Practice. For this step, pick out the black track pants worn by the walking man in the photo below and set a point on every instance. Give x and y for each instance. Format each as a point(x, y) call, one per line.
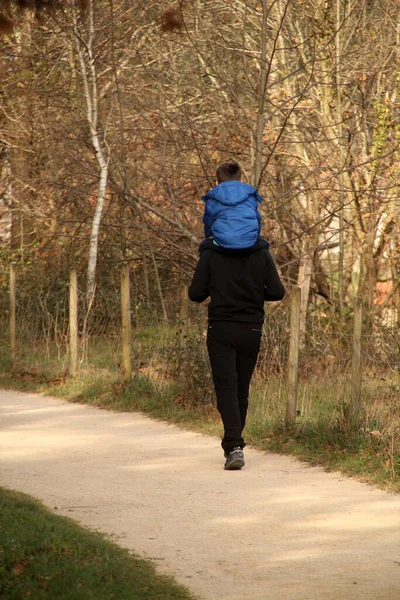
point(233, 349)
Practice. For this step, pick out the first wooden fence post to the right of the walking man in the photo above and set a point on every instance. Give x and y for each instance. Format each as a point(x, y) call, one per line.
point(293, 359)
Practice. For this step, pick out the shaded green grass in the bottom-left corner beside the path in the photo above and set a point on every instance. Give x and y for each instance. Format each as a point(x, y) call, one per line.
point(45, 556)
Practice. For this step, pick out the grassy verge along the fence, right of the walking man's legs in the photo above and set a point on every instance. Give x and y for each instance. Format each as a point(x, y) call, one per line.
point(321, 437)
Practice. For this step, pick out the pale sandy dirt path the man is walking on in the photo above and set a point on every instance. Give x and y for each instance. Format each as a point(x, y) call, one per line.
point(277, 530)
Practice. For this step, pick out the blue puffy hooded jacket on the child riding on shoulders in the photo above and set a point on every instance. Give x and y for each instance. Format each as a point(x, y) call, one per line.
point(231, 214)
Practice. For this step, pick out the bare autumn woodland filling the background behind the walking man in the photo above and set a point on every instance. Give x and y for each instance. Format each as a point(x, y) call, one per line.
point(114, 116)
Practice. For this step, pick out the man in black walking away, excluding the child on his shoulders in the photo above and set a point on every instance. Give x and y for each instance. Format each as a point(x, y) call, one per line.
point(238, 282)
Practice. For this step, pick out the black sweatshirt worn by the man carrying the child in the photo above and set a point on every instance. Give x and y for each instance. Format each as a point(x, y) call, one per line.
point(238, 282)
